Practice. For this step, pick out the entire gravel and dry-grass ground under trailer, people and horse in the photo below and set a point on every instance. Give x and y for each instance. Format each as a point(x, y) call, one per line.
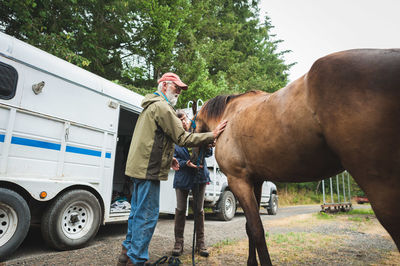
point(297, 240)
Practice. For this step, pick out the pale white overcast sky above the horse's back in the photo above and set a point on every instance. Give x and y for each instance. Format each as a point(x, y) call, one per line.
point(314, 28)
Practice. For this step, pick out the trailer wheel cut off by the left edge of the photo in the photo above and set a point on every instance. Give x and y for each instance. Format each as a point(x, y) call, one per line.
point(15, 219)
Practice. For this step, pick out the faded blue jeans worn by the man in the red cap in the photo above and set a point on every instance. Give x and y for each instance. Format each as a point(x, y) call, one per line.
point(142, 219)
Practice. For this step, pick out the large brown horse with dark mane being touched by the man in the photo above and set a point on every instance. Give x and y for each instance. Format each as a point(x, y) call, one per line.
point(343, 114)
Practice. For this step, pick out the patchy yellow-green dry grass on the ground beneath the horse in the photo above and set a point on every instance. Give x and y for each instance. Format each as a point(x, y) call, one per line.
point(301, 246)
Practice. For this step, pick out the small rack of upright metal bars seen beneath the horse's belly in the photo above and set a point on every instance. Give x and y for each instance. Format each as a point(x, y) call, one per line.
point(342, 201)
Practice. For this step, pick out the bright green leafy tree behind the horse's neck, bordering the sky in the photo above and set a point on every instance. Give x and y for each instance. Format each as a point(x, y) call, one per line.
point(237, 51)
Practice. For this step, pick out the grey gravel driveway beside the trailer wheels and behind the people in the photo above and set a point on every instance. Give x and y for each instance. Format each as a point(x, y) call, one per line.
point(105, 248)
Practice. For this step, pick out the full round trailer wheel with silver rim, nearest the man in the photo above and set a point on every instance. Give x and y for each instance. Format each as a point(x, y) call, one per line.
point(72, 220)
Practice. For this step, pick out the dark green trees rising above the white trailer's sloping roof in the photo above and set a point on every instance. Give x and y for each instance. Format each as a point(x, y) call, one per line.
point(91, 34)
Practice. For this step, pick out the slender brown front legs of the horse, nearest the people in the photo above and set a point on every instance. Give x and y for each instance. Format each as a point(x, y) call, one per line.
point(243, 190)
